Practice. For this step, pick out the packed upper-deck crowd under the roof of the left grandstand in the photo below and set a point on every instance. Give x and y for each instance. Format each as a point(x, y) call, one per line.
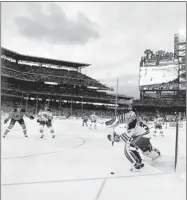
point(44, 74)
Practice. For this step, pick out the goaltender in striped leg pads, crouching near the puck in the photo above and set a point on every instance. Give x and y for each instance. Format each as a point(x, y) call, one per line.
point(136, 138)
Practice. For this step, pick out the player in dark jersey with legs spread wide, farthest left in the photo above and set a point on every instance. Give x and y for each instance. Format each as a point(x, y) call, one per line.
point(17, 116)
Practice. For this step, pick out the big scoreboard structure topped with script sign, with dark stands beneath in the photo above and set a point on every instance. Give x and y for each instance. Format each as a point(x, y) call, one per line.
point(162, 81)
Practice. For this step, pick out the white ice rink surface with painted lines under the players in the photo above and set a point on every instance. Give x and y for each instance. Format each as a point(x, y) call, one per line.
point(77, 164)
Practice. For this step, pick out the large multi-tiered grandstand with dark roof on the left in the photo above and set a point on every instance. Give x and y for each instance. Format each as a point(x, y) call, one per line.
point(33, 81)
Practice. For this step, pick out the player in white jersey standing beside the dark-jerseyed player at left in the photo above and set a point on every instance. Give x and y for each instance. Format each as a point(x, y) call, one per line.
point(45, 117)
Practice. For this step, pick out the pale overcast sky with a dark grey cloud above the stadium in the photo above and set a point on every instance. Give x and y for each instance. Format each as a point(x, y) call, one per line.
point(111, 36)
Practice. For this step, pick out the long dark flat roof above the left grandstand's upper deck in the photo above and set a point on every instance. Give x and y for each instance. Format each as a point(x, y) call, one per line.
point(27, 58)
